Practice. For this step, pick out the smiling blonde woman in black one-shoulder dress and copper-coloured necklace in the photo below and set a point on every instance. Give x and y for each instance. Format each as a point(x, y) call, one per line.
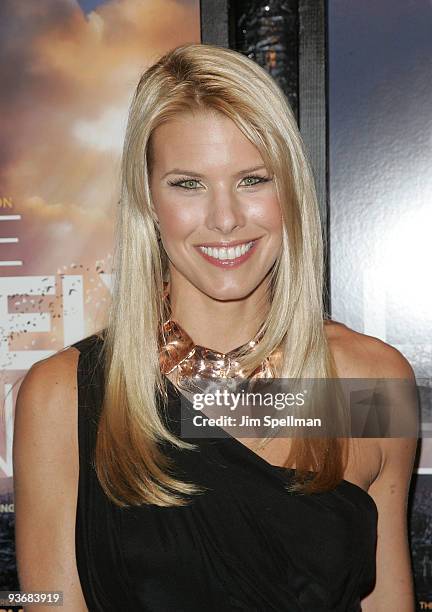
point(219, 270)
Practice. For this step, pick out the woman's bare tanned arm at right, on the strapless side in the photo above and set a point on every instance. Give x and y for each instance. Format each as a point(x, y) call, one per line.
point(394, 582)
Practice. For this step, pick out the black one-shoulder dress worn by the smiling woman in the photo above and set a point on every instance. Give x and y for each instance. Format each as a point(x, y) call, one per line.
point(246, 544)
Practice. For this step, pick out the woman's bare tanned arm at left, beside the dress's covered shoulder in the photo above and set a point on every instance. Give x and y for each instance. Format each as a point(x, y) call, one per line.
point(46, 469)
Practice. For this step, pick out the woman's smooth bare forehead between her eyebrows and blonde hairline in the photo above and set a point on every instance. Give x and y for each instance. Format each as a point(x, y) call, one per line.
point(204, 138)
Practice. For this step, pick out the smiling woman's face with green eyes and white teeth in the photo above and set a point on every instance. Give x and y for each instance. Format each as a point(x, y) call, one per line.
point(218, 212)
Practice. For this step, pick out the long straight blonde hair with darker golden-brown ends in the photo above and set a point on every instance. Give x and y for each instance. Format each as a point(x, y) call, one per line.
point(131, 467)
